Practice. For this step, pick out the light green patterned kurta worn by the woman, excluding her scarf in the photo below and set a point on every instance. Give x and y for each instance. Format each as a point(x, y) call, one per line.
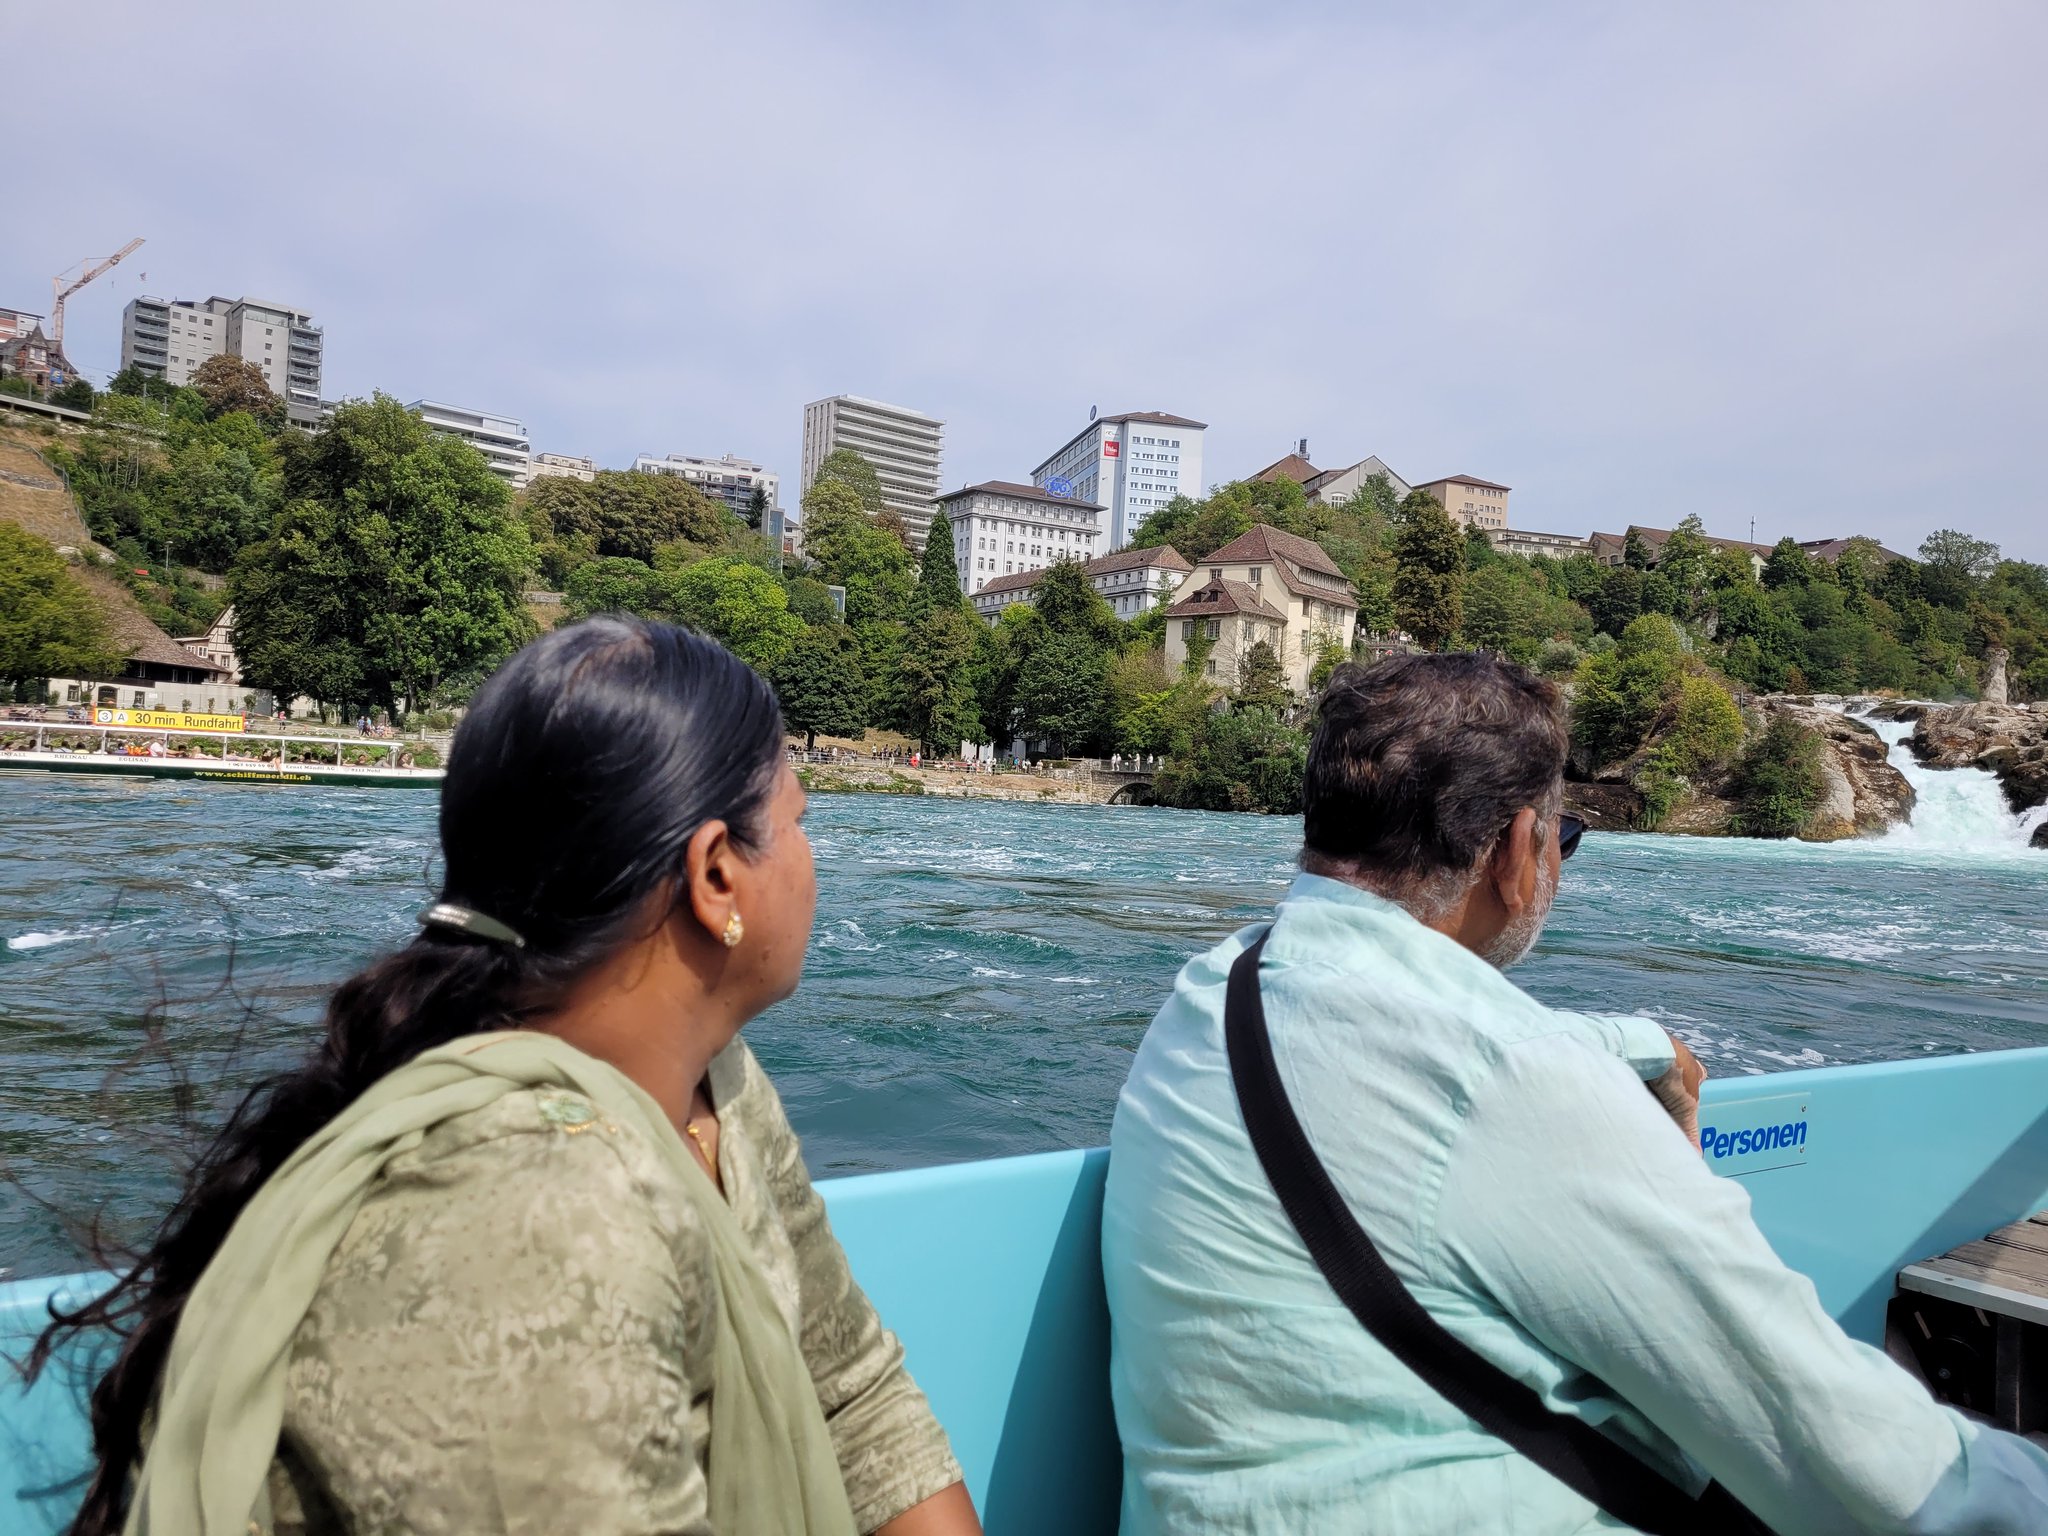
point(515, 1336)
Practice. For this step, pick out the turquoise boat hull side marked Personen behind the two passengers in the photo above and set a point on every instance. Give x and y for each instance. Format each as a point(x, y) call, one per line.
point(992, 1277)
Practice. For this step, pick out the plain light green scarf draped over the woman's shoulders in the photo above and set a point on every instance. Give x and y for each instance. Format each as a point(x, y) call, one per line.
point(222, 1402)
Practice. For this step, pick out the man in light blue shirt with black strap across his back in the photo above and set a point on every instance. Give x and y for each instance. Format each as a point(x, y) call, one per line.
point(1517, 1181)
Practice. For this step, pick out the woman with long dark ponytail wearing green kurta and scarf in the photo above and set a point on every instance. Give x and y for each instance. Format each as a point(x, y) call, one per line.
point(527, 1244)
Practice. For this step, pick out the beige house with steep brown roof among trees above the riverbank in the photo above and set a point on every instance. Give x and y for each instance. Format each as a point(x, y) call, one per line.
point(1263, 587)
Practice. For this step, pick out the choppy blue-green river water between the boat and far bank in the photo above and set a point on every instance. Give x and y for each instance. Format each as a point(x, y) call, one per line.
point(980, 974)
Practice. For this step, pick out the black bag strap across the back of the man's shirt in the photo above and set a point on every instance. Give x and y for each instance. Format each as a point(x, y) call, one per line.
point(1570, 1449)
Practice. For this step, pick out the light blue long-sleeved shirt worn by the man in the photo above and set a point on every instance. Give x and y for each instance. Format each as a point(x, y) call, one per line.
point(1514, 1172)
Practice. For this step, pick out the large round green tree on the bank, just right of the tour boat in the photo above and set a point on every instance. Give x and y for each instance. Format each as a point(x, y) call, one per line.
point(394, 568)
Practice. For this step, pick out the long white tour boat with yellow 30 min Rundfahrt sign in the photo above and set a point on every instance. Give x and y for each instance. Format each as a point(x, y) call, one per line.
point(212, 757)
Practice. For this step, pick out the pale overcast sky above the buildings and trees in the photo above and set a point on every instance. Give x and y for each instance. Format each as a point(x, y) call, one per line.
point(1756, 261)
